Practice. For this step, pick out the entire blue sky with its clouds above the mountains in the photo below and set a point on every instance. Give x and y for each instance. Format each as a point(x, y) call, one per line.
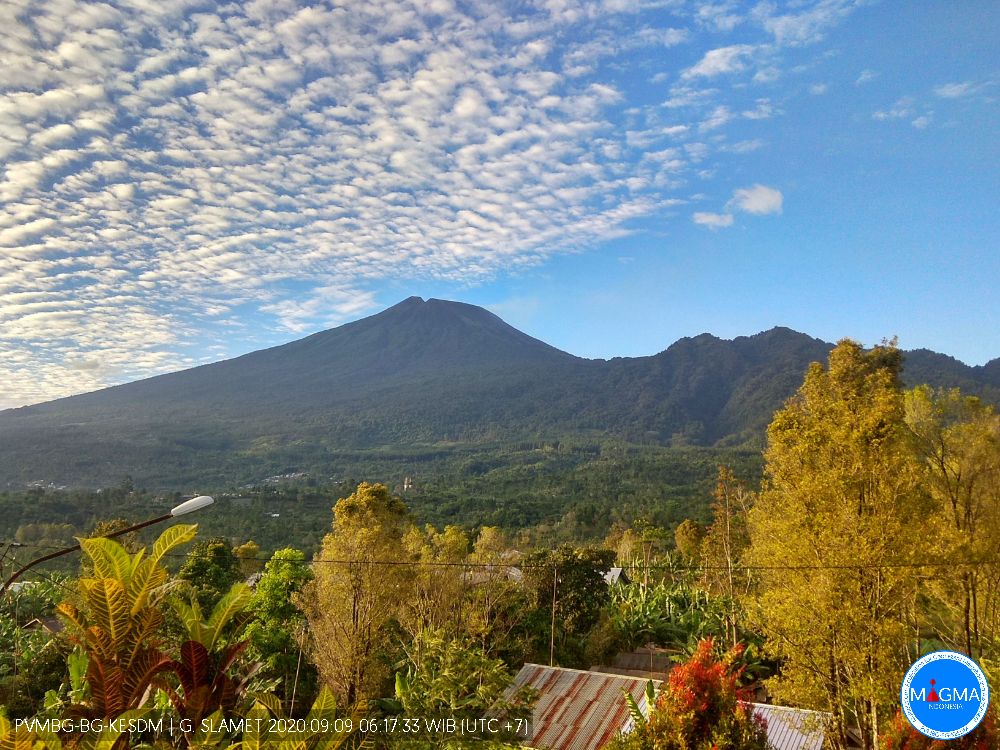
point(184, 181)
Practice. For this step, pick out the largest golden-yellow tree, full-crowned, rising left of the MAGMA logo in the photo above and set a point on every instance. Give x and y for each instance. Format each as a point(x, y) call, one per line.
point(834, 531)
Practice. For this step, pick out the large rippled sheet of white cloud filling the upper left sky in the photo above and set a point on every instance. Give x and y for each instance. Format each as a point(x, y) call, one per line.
point(169, 166)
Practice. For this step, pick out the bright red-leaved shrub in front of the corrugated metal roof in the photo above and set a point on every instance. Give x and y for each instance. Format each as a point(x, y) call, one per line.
point(701, 708)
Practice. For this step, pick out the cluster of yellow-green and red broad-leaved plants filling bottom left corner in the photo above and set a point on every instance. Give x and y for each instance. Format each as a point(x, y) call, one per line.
point(138, 680)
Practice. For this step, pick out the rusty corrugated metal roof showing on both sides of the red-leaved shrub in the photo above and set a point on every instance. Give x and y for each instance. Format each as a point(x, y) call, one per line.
point(578, 710)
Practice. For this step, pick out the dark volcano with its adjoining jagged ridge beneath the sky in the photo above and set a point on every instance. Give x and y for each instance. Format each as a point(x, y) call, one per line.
point(421, 372)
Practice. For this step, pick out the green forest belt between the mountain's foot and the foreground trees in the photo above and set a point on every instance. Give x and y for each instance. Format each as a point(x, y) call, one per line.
point(544, 493)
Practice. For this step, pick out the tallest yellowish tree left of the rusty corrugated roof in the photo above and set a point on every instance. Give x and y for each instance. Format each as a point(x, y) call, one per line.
point(356, 591)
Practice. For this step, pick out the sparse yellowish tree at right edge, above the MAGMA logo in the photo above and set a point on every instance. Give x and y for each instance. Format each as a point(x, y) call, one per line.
point(957, 441)
